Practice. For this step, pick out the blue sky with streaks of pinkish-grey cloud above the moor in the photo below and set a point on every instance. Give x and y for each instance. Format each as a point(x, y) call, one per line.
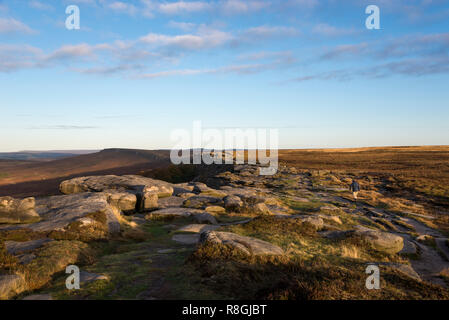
point(136, 71)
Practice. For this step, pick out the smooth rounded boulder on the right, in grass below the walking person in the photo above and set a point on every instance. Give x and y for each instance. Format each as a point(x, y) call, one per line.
point(380, 240)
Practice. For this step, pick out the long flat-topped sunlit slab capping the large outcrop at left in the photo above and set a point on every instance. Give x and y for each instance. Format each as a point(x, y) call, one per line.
point(131, 183)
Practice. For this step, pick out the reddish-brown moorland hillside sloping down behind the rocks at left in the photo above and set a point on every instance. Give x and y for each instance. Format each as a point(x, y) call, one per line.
point(20, 177)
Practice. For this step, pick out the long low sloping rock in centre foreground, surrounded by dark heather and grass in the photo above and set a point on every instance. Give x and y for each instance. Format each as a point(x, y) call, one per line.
point(247, 245)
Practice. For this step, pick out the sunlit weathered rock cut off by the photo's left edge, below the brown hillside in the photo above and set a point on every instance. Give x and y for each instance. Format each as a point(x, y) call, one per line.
point(17, 210)
